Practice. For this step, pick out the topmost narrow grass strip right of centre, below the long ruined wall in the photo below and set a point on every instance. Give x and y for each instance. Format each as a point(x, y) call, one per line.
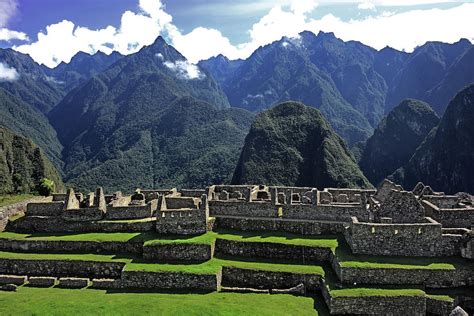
point(281, 238)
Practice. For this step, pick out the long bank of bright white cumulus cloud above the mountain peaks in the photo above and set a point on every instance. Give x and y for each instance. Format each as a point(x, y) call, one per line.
point(404, 30)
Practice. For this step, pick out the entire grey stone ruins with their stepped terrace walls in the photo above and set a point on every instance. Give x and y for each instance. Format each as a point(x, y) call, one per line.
point(387, 222)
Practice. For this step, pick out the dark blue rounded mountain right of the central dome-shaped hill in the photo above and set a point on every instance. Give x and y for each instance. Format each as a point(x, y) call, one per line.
point(396, 139)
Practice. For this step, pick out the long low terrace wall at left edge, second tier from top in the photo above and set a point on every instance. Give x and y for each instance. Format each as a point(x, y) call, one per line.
point(61, 246)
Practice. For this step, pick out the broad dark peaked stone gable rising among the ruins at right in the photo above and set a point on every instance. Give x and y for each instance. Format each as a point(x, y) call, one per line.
point(402, 207)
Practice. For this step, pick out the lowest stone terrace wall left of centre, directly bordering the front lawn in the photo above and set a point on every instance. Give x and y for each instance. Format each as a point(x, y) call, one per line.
point(170, 281)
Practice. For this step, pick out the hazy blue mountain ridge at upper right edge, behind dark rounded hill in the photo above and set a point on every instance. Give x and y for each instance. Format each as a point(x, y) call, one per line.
point(425, 69)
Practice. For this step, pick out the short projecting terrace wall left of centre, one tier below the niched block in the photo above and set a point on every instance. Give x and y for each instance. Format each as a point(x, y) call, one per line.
point(178, 252)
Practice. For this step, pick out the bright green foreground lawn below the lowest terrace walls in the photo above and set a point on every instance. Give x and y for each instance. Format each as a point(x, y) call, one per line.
point(33, 301)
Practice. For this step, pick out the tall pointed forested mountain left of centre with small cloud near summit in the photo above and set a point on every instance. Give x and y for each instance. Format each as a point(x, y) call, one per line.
point(149, 120)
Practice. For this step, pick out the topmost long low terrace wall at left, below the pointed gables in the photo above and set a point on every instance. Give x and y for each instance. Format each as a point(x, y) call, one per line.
point(58, 225)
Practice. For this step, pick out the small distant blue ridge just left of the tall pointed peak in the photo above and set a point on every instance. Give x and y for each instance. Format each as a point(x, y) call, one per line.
point(81, 68)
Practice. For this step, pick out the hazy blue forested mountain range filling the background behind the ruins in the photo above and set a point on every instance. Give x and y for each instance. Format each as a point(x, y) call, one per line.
point(152, 119)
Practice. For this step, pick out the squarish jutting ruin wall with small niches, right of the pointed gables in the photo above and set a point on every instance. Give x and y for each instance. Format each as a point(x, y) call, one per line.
point(185, 222)
